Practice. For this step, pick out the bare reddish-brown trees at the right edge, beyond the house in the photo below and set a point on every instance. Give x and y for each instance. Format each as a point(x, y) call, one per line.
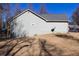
point(75, 19)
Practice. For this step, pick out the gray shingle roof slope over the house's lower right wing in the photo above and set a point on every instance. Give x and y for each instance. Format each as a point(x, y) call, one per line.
point(54, 17)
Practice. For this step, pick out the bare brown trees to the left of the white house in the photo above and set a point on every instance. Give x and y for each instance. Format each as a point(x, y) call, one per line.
point(5, 14)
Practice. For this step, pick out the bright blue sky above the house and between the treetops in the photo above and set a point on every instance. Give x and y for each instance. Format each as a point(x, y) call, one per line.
point(53, 8)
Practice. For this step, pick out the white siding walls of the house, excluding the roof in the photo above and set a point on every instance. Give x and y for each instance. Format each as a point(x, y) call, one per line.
point(29, 24)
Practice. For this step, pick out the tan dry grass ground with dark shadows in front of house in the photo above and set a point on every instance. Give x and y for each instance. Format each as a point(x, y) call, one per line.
point(49, 44)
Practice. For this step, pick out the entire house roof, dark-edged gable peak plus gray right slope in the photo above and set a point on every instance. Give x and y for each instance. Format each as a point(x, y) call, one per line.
point(45, 17)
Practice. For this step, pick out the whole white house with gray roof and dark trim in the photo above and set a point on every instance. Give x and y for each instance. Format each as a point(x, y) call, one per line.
point(28, 23)
